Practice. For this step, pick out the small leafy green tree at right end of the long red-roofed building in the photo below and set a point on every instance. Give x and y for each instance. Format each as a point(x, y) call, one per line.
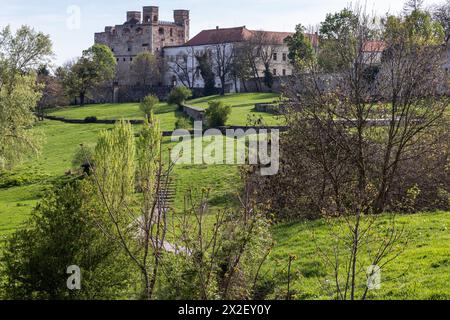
point(301, 51)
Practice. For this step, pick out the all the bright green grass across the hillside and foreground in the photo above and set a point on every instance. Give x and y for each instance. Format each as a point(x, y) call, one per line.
point(421, 272)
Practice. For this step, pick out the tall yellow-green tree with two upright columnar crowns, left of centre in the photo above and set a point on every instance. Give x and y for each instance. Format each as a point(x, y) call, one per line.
point(139, 228)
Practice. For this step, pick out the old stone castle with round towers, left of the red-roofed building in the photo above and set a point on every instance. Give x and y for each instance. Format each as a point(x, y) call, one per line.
point(143, 31)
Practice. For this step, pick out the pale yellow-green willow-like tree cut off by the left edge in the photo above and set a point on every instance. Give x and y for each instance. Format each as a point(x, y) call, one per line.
point(20, 56)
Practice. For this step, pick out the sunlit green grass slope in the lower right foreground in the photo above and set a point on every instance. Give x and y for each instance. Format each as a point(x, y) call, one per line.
point(422, 271)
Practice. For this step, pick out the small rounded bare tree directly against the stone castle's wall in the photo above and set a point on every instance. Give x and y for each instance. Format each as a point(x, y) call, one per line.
point(145, 69)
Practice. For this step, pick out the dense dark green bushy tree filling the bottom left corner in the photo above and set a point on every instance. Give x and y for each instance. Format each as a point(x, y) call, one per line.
point(62, 232)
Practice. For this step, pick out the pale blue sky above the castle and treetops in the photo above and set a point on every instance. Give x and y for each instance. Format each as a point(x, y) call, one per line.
point(72, 24)
